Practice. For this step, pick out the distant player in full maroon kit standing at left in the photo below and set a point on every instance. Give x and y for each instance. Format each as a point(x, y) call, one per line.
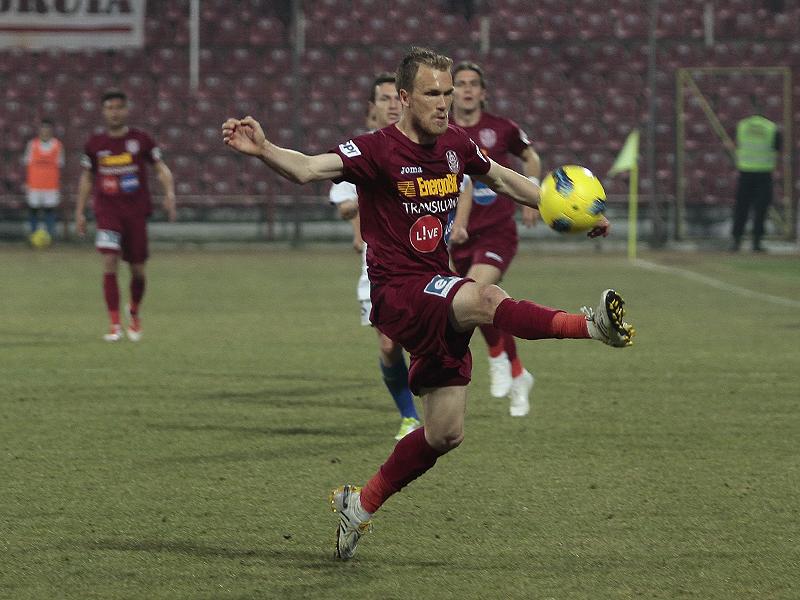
point(115, 174)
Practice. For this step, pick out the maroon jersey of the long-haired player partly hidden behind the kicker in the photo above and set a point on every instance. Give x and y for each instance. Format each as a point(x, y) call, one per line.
point(497, 138)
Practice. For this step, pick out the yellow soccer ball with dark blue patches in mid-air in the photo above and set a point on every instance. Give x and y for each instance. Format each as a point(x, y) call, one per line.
point(572, 200)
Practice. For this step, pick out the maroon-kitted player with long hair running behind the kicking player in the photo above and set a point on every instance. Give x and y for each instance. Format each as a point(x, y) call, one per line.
point(484, 239)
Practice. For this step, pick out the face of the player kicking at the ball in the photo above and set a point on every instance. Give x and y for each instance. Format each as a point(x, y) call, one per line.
point(429, 102)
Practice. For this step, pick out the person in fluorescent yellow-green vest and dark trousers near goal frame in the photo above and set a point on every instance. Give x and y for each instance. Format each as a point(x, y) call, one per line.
point(757, 145)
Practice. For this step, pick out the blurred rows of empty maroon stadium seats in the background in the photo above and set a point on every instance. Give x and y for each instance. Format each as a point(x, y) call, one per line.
point(571, 75)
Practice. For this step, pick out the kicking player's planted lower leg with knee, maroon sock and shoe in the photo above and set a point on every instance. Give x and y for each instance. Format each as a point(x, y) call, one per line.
point(413, 455)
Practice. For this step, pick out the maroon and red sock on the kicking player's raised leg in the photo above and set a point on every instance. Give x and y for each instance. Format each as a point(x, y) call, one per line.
point(530, 321)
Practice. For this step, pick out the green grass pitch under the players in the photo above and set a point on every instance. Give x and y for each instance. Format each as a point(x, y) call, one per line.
point(197, 463)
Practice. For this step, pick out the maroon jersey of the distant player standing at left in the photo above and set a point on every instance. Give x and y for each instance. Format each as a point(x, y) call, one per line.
point(118, 165)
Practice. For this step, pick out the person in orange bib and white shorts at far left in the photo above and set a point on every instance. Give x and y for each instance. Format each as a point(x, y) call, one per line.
point(44, 159)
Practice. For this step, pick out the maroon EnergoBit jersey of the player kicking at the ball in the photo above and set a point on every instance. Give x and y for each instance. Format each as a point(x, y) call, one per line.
point(407, 194)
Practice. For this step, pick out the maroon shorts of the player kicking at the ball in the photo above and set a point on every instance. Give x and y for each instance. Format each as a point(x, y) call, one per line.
point(414, 311)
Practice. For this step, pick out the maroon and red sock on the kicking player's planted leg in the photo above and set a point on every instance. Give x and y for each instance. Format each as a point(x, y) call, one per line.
point(412, 456)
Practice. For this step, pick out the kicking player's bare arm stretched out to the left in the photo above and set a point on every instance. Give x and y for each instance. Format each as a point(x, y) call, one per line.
point(247, 136)
